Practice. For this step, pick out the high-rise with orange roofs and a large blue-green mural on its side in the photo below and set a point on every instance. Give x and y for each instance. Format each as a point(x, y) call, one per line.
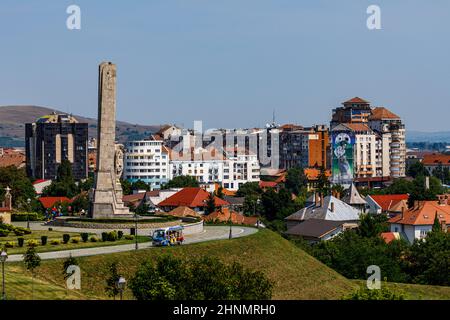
point(367, 143)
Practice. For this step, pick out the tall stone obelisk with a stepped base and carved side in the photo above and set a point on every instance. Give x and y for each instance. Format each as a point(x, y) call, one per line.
point(107, 194)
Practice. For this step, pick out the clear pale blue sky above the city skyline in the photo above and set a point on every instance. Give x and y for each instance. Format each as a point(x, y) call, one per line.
point(230, 63)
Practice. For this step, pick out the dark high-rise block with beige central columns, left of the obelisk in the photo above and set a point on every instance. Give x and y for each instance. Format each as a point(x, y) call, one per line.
point(53, 139)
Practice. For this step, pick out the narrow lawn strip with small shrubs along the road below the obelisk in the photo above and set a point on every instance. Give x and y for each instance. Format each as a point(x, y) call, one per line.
point(73, 246)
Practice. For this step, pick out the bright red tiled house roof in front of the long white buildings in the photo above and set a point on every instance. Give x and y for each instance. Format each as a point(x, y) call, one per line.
point(192, 198)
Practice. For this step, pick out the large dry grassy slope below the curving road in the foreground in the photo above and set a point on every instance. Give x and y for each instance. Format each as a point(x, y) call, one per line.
point(297, 276)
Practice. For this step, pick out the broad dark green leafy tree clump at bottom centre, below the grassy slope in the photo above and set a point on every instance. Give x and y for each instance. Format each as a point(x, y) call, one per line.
point(172, 278)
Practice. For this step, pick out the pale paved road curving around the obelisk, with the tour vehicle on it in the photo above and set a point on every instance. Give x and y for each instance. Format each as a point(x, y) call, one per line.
point(209, 233)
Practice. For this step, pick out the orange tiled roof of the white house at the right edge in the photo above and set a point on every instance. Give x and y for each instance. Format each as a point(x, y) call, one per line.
point(424, 214)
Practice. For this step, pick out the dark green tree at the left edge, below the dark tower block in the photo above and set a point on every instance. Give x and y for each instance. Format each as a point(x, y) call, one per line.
point(21, 187)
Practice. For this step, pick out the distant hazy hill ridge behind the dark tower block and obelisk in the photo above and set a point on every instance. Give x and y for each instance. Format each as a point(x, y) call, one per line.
point(13, 119)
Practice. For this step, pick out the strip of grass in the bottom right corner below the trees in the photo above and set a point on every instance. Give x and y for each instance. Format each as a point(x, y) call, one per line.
point(416, 291)
